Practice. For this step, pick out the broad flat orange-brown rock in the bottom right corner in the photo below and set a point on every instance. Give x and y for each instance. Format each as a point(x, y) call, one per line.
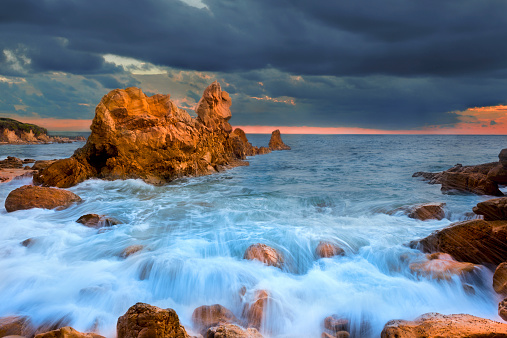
point(437, 325)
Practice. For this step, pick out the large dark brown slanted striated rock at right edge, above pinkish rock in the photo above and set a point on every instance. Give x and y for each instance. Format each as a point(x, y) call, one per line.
point(475, 241)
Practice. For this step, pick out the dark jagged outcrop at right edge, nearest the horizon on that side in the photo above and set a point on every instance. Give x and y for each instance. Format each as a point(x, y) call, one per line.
point(482, 179)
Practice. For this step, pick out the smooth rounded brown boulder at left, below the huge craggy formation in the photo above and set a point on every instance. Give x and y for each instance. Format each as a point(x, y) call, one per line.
point(29, 196)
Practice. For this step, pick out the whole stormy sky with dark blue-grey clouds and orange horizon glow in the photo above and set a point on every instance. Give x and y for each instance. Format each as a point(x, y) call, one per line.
point(347, 66)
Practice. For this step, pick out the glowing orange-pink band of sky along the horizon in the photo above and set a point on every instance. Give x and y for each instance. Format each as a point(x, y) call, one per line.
point(491, 120)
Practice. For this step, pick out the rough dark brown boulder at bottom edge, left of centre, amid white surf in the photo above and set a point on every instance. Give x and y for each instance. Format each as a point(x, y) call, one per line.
point(147, 321)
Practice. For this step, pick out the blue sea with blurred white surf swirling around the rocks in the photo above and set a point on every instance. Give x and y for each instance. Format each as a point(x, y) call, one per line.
point(337, 188)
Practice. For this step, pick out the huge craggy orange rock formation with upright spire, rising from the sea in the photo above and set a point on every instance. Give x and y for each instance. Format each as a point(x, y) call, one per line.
point(136, 136)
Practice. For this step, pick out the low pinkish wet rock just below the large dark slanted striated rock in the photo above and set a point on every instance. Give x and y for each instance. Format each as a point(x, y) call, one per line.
point(441, 266)
